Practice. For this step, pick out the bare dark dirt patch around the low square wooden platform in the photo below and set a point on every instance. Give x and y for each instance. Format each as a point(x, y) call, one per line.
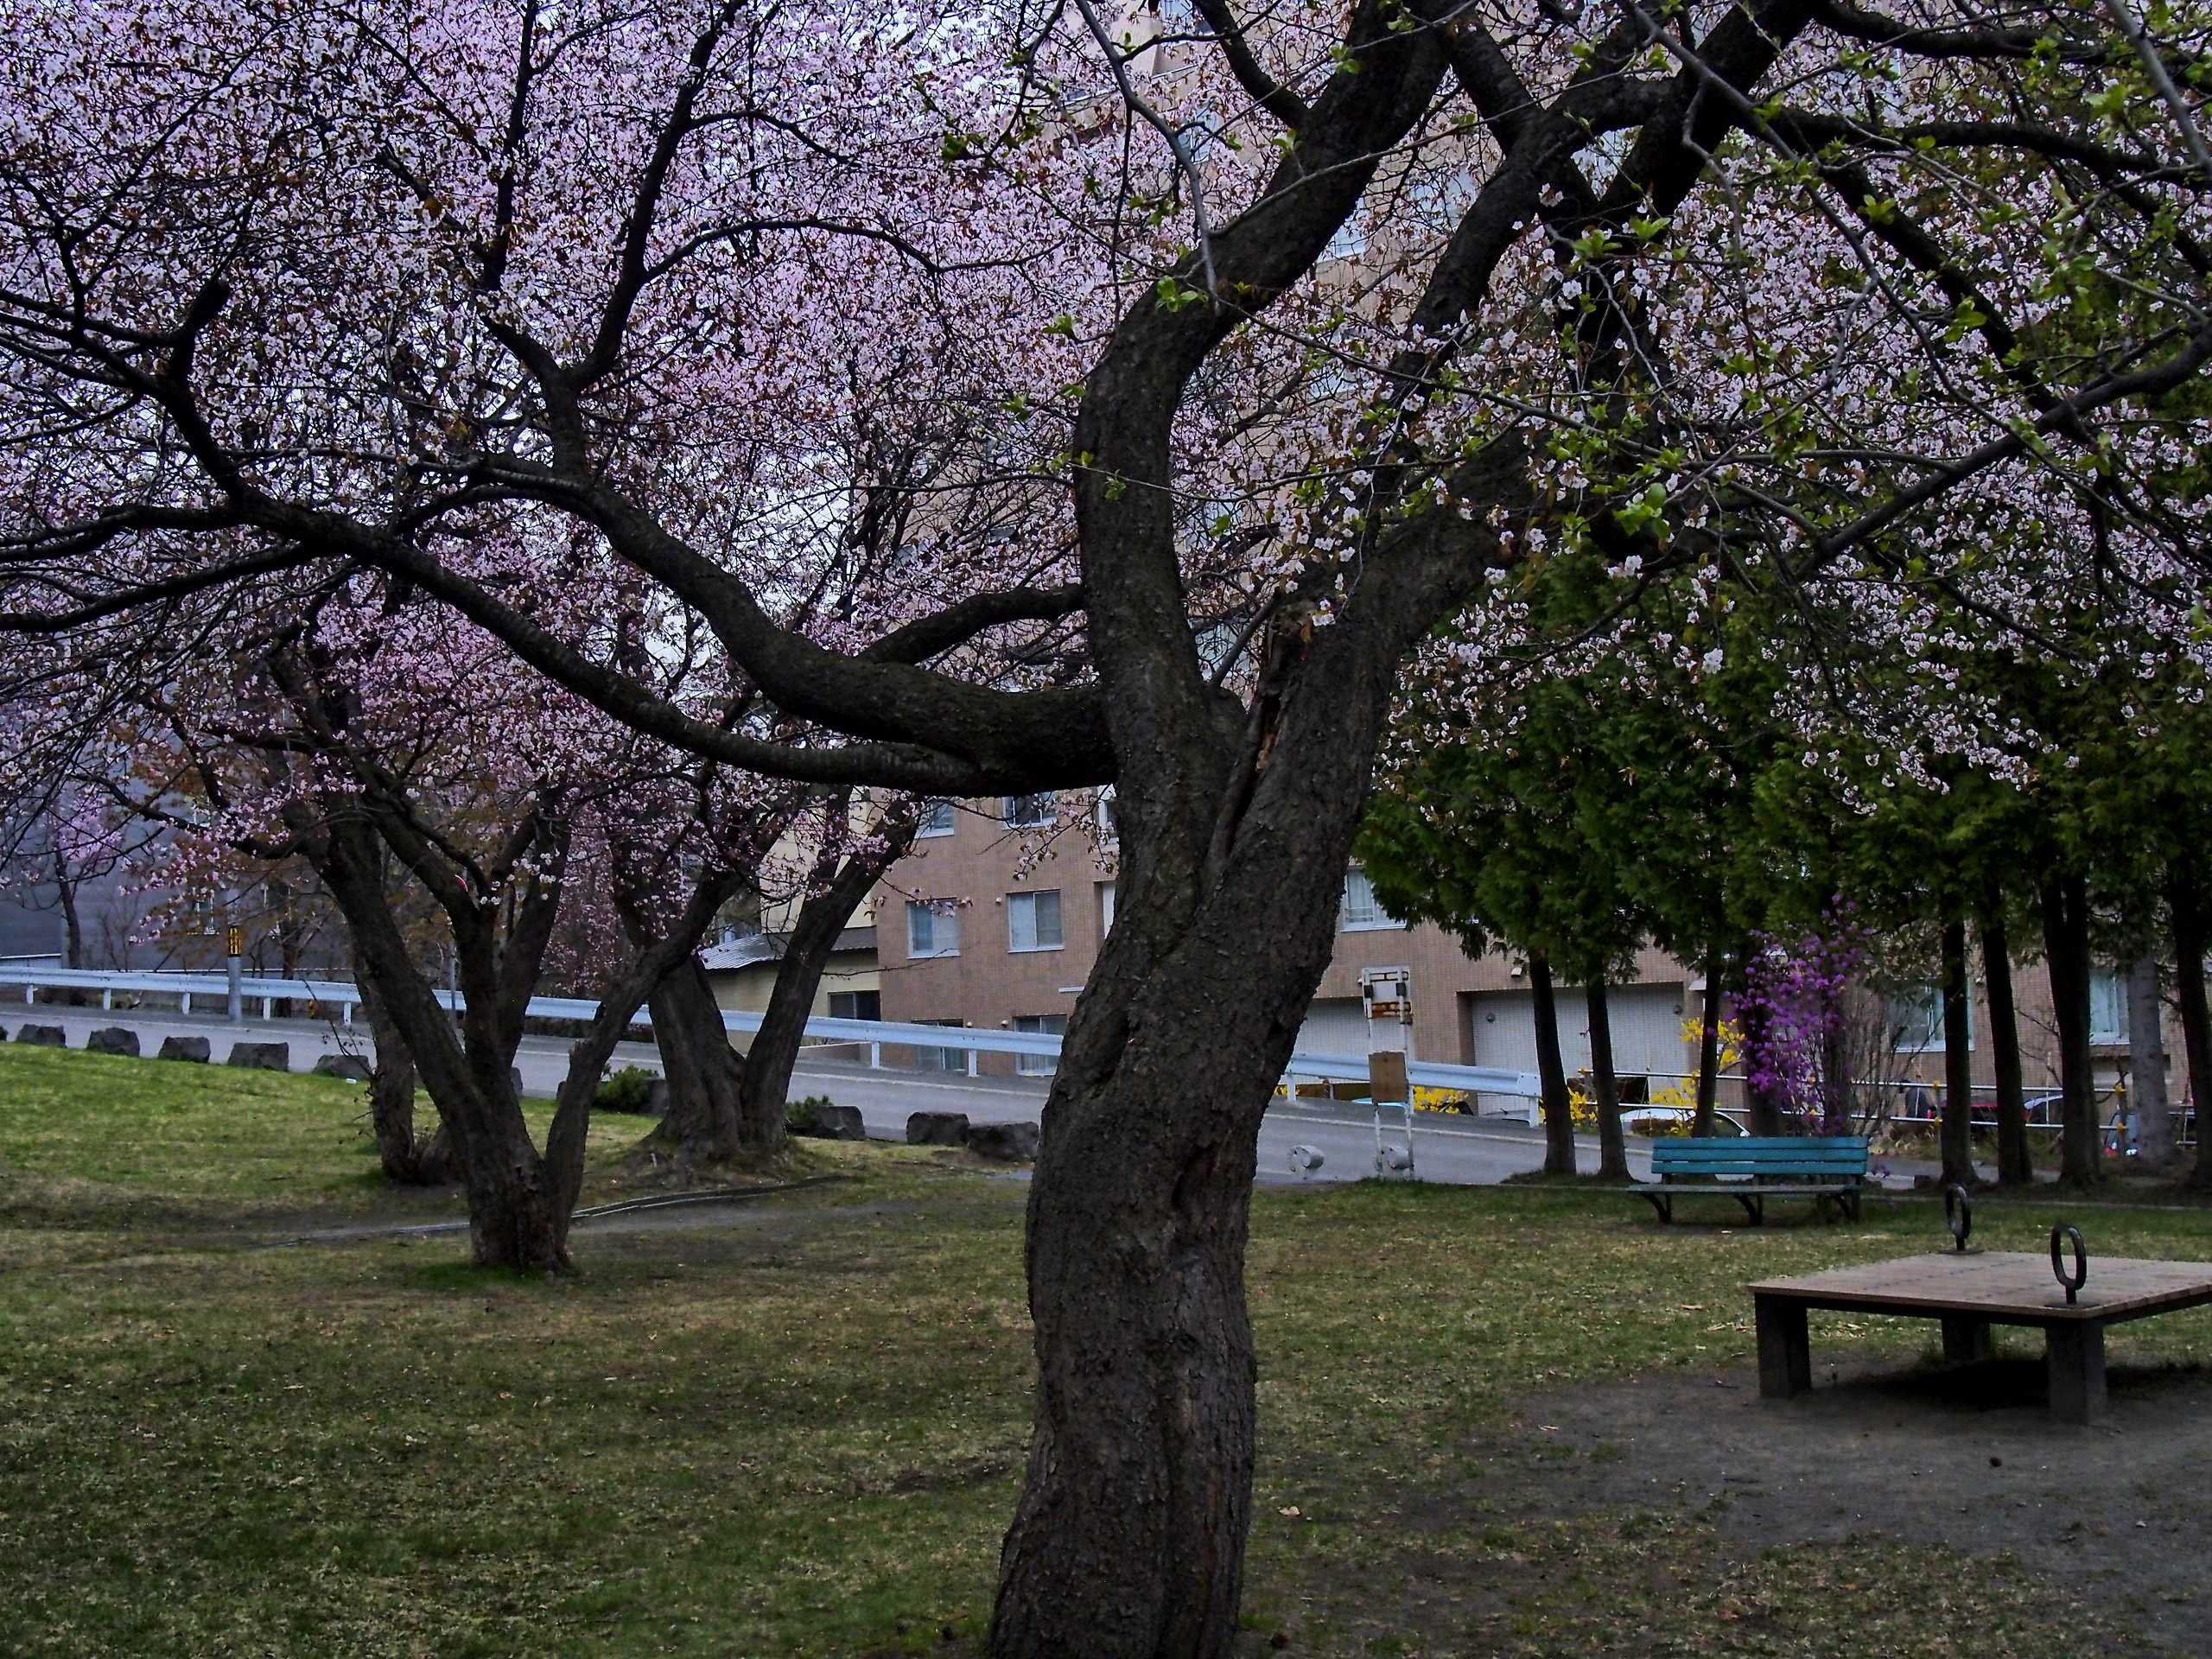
point(1959, 1459)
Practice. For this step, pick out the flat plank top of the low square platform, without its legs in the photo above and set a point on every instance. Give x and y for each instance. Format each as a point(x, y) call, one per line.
point(2001, 1286)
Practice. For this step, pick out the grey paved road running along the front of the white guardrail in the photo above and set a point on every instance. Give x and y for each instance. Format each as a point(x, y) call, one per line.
point(1448, 1149)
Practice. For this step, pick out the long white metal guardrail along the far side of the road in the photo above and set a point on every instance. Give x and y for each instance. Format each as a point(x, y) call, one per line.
point(340, 999)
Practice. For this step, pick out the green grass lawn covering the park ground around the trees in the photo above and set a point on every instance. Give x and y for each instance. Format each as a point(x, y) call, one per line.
point(800, 1432)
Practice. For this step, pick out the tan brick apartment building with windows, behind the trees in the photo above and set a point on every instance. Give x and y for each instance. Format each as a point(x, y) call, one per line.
point(999, 915)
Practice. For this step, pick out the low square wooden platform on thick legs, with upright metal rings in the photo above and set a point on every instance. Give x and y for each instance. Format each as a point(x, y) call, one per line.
point(1968, 1295)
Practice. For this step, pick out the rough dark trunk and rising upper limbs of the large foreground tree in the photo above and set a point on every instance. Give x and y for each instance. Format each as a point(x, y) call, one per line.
point(1235, 833)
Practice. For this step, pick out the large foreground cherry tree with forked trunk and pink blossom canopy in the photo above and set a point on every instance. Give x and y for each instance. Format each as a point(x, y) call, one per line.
point(1311, 324)
